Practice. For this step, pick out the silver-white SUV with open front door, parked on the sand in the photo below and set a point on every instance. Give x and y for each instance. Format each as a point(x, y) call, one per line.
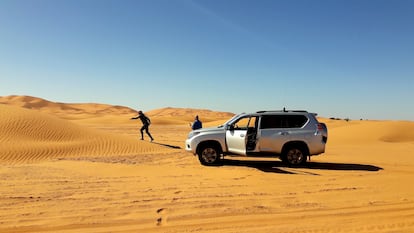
point(289, 135)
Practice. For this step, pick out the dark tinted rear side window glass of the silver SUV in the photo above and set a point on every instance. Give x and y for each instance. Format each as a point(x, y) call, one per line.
point(283, 121)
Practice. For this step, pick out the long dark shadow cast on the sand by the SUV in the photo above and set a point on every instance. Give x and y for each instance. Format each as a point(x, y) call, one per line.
point(280, 167)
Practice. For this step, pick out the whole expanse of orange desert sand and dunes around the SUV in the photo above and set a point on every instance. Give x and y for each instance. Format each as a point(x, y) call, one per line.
point(82, 168)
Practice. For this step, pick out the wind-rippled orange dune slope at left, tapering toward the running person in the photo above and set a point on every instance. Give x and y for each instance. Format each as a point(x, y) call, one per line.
point(28, 136)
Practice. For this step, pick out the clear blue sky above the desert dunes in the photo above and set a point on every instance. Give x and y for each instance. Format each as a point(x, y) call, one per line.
point(339, 58)
